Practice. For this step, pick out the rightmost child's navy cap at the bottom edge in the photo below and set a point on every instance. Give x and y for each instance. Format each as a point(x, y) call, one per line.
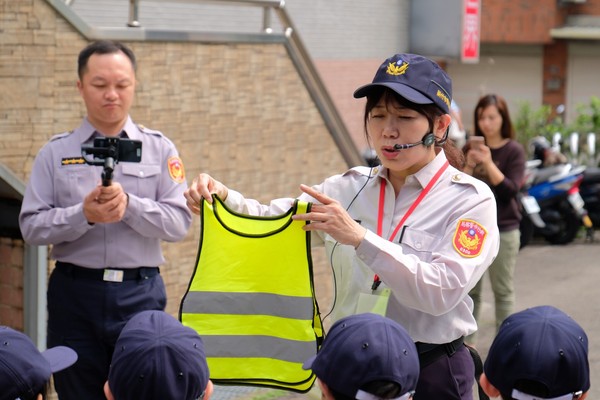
point(542, 345)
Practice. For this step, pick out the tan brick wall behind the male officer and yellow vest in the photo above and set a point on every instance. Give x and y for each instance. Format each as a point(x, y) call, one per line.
point(237, 111)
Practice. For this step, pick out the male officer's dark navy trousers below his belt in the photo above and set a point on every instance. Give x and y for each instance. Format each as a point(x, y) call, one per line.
point(87, 314)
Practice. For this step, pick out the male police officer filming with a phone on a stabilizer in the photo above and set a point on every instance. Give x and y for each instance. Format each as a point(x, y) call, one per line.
point(106, 239)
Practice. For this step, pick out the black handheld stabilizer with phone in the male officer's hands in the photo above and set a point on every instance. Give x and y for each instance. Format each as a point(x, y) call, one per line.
point(108, 151)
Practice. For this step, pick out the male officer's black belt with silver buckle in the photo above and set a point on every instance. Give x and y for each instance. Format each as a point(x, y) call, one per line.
point(106, 274)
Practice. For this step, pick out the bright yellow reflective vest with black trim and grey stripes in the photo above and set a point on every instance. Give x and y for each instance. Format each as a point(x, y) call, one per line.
point(251, 298)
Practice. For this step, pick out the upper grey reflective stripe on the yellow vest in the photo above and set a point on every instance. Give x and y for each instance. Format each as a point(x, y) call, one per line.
point(248, 304)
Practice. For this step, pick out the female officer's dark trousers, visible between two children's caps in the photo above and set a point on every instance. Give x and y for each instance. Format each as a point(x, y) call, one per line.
point(447, 378)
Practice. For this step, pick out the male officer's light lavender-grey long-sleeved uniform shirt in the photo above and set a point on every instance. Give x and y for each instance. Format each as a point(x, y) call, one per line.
point(52, 210)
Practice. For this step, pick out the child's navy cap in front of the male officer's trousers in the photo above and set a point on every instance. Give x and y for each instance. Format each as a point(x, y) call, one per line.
point(157, 358)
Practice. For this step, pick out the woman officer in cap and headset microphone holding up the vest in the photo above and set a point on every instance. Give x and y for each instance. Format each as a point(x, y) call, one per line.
point(409, 238)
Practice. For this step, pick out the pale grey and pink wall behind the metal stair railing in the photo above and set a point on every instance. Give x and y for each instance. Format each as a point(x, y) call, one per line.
point(346, 46)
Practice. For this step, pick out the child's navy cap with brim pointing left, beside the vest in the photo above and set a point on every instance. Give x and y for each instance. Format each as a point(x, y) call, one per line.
point(364, 348)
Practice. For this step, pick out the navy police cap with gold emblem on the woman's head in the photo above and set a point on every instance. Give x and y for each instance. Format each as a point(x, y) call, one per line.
point(414, 77)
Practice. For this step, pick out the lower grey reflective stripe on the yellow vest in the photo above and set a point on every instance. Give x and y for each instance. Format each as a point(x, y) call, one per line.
point(246, 346)
